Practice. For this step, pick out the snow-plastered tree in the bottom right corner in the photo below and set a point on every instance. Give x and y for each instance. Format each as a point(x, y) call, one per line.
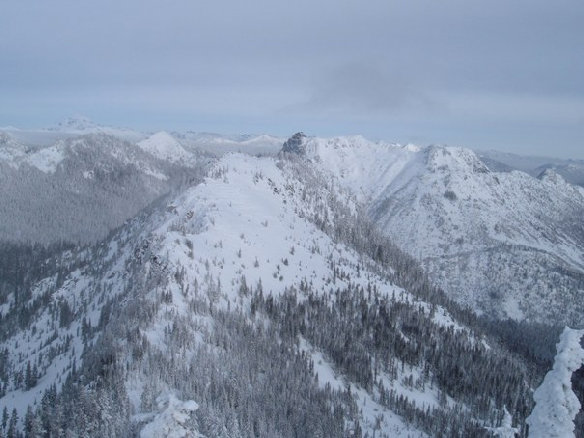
point(556, 405)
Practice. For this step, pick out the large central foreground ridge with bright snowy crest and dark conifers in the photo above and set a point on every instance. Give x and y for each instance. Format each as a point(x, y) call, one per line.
point(259, 302)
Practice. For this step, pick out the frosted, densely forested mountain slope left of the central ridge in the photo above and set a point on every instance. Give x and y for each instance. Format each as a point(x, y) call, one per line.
point(80, 188)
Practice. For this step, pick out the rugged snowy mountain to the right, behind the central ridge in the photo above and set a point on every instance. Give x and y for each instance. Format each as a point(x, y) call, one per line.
point(505, 243)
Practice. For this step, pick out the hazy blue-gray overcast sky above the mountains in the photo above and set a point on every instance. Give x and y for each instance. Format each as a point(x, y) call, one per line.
point(502, 74)
